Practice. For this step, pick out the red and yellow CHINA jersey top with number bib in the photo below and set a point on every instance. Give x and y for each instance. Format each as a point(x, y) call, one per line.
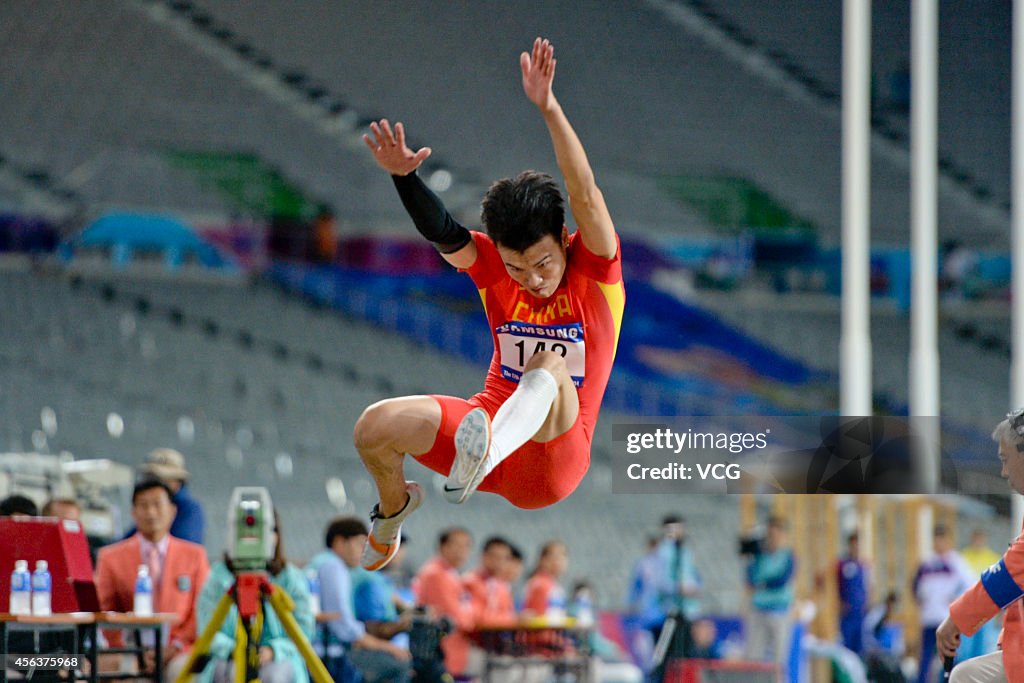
point(581, 321)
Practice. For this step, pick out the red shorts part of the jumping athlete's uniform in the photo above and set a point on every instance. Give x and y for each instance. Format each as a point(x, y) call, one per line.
point(536, 476)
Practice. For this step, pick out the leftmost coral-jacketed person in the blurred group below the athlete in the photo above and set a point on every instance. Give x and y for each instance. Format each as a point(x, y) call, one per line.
point(440, 587)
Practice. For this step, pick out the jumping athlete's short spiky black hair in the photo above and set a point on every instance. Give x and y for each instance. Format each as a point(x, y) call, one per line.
point(519, 212)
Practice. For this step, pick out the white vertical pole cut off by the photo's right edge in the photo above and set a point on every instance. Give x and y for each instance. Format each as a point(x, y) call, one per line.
point(1017, 231)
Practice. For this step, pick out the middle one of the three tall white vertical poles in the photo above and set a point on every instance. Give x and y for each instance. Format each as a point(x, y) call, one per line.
point(924, 192)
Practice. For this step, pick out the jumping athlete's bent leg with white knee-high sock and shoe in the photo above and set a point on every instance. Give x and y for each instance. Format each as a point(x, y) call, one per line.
point(544, 407)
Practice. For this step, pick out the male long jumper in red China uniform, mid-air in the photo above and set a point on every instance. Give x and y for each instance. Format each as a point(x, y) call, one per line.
point(554, 303)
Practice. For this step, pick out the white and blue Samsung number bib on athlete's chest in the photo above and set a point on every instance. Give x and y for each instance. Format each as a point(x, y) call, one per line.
point(518, 343)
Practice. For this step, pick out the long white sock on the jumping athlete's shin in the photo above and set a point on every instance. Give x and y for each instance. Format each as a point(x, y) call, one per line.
point(523, 415)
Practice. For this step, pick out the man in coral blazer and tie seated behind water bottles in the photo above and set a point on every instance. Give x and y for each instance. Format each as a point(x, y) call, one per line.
point(179, 570)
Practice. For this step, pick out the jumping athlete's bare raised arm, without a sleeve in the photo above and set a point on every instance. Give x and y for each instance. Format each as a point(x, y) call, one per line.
point(586, 200)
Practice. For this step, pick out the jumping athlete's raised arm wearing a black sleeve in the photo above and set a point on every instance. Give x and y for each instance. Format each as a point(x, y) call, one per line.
point(429, 212)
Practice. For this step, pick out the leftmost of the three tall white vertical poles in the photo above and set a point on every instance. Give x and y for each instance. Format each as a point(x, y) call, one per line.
point(856, 340)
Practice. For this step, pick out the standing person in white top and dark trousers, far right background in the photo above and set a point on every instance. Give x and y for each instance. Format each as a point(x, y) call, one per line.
point(942, 577)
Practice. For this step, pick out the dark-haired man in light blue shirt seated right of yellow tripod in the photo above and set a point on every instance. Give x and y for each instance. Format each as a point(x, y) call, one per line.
point(349, 641)
